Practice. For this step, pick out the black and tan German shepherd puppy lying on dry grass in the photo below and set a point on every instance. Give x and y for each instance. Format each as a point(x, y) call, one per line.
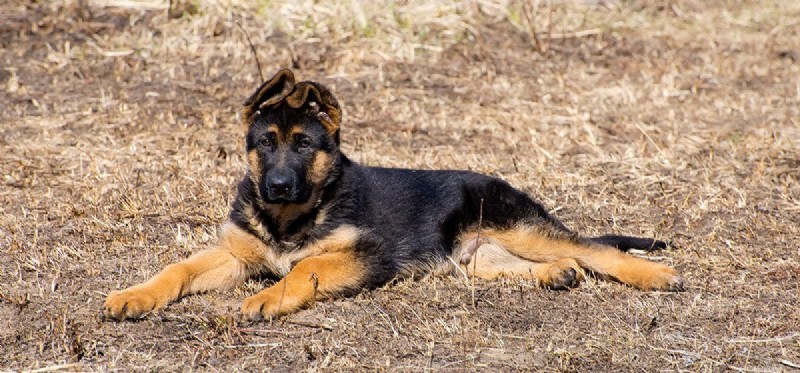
point(330, 227)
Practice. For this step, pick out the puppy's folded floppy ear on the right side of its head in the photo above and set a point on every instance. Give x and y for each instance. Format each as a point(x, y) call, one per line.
point(321, 103)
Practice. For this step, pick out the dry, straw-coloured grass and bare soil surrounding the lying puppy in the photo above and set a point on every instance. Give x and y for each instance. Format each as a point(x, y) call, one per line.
point(120, 148)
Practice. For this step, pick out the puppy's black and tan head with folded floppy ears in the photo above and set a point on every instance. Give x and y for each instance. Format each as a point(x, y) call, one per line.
point(292, 138)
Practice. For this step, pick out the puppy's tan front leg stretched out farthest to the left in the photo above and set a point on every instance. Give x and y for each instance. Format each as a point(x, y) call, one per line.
point(226, 266)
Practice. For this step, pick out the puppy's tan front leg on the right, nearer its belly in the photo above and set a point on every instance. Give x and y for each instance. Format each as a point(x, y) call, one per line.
point(312, 278)
